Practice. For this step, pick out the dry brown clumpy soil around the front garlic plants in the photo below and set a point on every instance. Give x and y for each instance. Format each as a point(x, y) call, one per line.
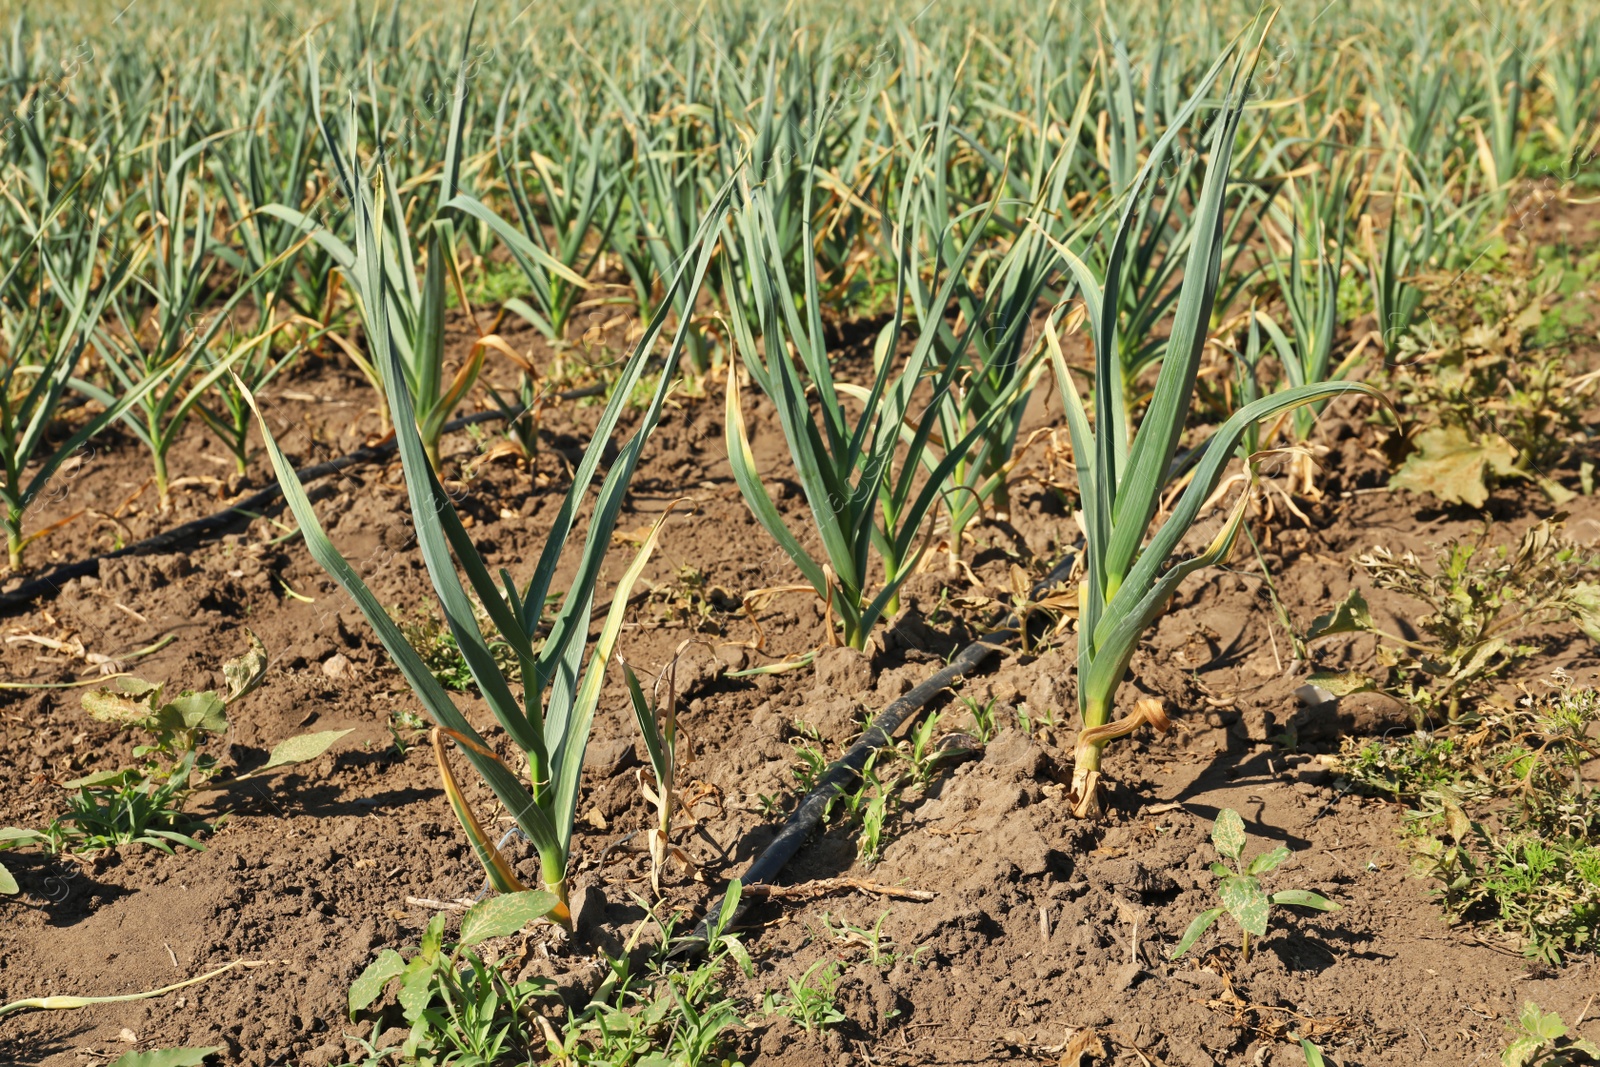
point(1039, 924)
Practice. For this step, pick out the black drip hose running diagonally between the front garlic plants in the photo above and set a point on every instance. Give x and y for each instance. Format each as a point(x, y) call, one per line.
point(809, 817)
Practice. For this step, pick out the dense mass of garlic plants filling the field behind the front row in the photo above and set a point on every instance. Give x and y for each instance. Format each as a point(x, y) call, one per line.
point(210, 156)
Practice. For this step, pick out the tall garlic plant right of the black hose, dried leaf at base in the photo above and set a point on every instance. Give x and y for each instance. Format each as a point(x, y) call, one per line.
point(1124, 470)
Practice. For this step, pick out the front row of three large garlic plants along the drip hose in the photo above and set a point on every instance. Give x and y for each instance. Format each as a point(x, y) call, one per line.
point(862, 482)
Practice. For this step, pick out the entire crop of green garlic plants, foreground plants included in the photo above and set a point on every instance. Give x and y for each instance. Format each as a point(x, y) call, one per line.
point(983, 175)
